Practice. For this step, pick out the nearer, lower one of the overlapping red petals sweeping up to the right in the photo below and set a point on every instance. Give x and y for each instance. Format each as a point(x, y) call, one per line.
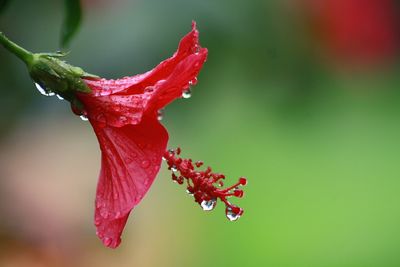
point(121, 109)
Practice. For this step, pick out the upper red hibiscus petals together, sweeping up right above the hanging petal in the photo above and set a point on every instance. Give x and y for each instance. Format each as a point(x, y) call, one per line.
point(124, 101)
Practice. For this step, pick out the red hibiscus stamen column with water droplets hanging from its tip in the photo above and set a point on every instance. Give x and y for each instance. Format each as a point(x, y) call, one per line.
point(205, 186)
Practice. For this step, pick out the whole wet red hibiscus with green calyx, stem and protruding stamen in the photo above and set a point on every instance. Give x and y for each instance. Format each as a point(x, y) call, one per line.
point(124, 114)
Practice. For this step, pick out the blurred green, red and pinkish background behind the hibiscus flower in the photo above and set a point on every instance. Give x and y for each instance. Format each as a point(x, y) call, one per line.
point(300, 96)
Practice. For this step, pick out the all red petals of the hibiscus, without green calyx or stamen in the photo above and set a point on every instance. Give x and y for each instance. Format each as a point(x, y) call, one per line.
point(124, 114)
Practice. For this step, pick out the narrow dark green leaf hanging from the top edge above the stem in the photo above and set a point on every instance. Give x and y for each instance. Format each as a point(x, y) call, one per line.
point(72, 21)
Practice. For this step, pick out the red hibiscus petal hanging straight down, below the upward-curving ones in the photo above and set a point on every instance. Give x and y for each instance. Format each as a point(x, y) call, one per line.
point(131, 158)
